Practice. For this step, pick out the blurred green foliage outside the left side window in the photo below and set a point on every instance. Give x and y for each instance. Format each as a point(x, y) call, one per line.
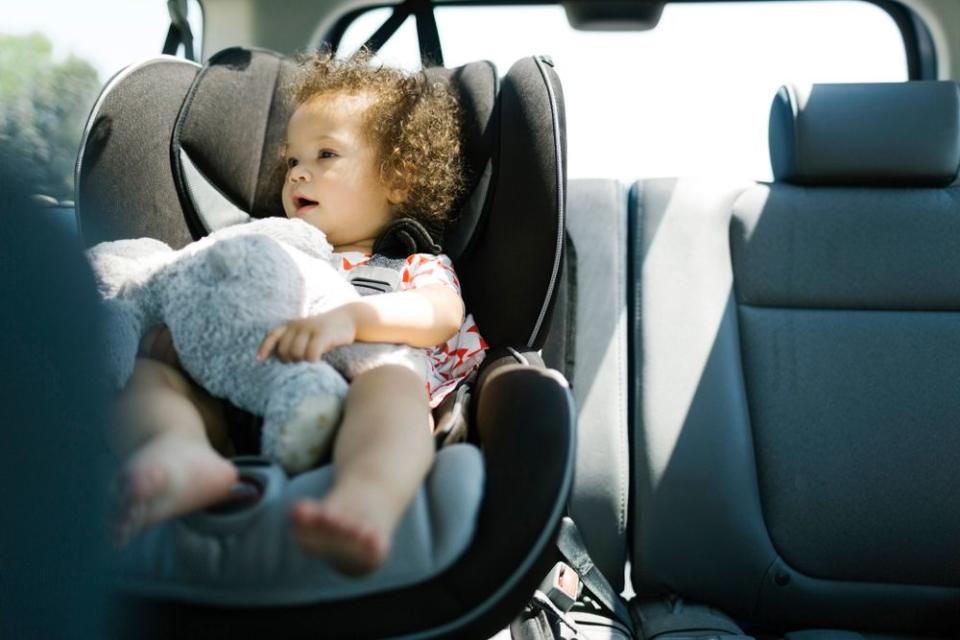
point(43, 107)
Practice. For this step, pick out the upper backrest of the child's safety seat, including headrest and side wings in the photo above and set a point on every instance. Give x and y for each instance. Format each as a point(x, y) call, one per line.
point(221, 164)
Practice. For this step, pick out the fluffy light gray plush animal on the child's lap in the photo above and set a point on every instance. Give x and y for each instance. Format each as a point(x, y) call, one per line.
point(219, 296)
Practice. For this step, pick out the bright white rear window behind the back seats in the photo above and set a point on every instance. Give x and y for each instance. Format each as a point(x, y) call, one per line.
point(690, 97)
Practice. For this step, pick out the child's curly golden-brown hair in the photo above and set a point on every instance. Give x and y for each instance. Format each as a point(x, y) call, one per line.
point(414, 123)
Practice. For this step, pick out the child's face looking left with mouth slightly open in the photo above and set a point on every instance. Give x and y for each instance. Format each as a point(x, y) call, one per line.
point(333, 177)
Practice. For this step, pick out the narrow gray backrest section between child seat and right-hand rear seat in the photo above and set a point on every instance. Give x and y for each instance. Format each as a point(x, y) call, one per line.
point(588, 343)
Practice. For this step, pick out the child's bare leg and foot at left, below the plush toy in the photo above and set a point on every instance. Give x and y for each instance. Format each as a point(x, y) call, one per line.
point(162, 423)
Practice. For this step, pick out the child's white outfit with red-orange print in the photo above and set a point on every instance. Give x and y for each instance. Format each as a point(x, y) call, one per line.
point(459, 356)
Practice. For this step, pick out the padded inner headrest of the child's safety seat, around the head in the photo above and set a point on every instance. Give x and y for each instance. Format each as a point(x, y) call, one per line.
point(231, 128)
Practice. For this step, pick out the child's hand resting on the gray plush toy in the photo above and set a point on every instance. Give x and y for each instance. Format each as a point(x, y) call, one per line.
point(310, 338)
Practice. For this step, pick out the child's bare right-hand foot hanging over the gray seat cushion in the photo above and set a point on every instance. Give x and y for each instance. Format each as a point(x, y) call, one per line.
point(353, 533)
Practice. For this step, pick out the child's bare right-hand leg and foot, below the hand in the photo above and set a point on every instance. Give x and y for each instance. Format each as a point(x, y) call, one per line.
point(381, 456)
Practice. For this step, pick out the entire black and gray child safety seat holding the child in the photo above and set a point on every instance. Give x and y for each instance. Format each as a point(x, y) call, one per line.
point(205, 141)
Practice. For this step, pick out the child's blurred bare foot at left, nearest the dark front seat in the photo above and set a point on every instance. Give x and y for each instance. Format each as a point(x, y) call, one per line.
point(169, 477)
